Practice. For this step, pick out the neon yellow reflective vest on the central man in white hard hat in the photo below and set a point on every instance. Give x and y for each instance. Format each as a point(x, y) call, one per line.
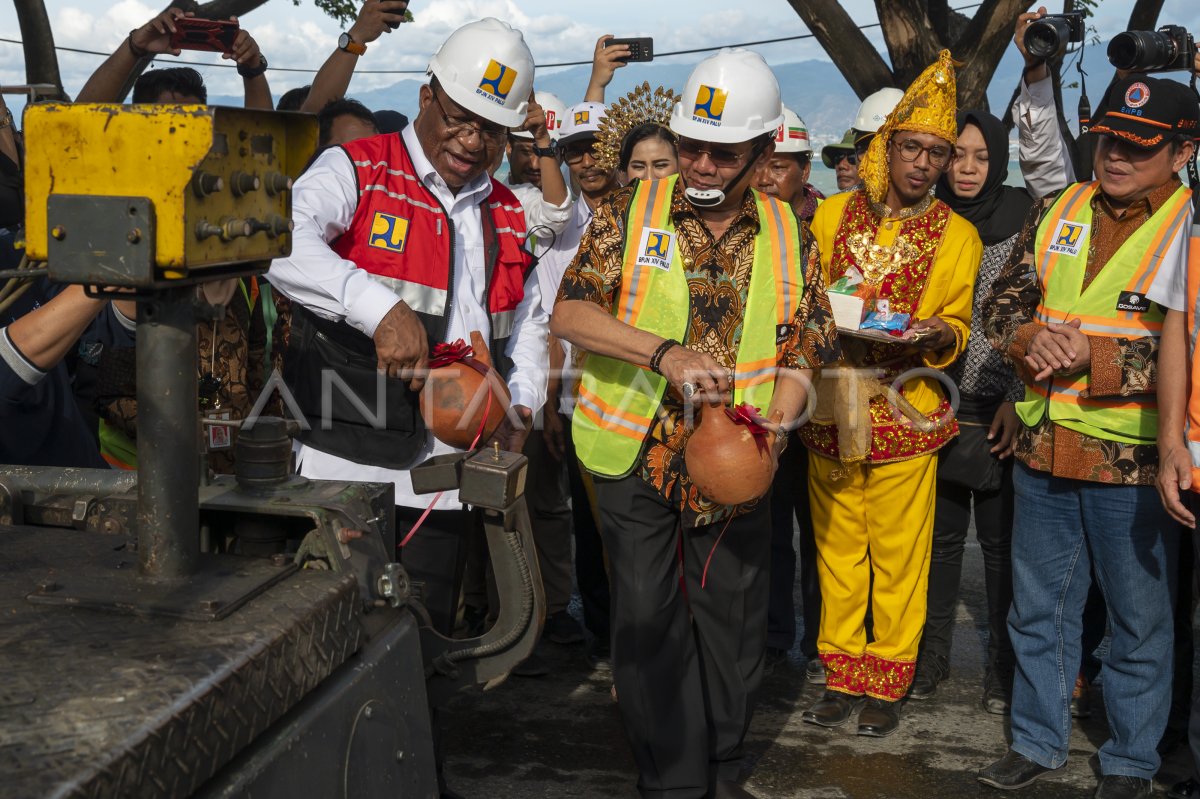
point(619, 401)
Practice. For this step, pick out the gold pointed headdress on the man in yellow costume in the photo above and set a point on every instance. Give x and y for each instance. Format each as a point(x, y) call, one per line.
point(929, 106)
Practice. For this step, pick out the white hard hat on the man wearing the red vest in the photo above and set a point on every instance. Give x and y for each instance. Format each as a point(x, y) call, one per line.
point(487, 68)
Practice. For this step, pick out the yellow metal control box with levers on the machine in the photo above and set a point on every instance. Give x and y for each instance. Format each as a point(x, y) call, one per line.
point(219, 178)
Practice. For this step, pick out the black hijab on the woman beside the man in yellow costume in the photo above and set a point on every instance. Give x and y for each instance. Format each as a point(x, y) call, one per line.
point(998, 212)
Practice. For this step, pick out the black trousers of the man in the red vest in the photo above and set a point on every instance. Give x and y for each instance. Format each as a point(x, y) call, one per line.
point(436, 557)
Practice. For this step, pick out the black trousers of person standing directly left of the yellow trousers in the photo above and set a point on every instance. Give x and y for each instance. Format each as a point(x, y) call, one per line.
point(789, 502)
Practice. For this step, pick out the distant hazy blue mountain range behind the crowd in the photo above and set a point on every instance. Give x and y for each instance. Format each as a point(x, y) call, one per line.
point(814, 89)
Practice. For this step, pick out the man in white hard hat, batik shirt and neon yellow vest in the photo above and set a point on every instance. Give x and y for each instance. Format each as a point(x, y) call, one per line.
point(680, 284)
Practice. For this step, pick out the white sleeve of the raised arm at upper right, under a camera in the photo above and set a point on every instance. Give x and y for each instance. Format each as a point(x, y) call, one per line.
point(1045, 155)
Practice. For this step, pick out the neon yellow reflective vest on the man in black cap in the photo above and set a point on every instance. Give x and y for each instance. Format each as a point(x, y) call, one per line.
point(1064, 241)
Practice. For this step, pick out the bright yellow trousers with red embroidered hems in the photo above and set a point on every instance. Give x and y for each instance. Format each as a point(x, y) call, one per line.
point(877, 521)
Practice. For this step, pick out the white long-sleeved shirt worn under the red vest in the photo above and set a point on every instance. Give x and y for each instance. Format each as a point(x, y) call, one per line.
point(325, 202)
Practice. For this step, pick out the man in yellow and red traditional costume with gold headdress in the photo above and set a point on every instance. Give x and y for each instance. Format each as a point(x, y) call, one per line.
point(902, 267)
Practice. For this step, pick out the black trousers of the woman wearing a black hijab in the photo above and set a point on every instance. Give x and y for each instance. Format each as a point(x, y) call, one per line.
point(994, 531)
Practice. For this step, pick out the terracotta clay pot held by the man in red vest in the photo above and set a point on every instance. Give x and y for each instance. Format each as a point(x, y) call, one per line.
point(455, 398)
